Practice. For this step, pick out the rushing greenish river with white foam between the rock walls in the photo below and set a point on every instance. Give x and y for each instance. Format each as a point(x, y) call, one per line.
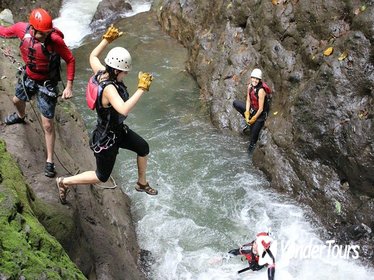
point(211, 199)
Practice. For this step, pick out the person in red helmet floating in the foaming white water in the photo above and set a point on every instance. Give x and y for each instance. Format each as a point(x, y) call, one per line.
point(258, 254)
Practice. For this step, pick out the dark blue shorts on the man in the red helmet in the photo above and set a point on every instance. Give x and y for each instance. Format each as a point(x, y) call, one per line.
point(46, 95)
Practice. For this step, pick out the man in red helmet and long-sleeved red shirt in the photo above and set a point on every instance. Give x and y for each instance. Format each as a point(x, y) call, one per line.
point(42, 46)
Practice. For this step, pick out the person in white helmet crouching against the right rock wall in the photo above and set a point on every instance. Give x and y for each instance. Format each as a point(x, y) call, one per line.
point(256, 107)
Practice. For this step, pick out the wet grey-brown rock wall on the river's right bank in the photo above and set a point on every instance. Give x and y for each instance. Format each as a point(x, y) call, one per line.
point(317, 144)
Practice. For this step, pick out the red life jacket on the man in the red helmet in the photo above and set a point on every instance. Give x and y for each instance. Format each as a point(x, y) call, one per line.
point(40, 57)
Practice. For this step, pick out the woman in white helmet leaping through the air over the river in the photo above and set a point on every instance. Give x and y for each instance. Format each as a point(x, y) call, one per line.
point(112, 105)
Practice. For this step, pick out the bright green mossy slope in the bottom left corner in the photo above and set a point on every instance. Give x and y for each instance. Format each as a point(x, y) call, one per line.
point(26, 248)
